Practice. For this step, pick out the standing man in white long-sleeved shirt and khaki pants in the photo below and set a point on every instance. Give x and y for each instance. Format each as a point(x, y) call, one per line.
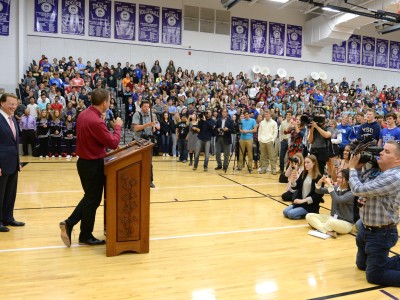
point(267, 133)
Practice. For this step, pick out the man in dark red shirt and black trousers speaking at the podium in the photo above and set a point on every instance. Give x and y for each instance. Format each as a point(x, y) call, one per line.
point(92, 138)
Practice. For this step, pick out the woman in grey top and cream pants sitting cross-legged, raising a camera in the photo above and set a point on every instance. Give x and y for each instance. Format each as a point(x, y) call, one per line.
point(342, 216)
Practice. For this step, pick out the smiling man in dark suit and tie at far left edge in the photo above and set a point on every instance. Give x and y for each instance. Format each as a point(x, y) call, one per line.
point(9, 161)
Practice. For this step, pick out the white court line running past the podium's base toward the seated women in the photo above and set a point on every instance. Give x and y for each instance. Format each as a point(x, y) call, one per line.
point(165, 238)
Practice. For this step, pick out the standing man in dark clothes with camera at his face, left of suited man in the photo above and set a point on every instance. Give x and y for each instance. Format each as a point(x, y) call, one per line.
point(206, 126)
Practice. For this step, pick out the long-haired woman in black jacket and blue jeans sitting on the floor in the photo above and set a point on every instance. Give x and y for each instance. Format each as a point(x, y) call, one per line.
point(306, 200)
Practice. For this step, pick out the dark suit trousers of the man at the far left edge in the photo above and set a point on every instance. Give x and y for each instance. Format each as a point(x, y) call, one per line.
point(8, 193)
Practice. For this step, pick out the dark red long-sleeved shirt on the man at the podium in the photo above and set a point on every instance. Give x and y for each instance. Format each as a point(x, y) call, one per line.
point(93, 136)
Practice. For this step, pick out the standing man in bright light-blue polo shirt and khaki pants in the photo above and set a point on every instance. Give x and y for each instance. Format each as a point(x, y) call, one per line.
point(247, 129)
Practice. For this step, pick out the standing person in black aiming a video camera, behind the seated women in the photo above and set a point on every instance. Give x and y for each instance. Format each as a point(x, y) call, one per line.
point(319, 137)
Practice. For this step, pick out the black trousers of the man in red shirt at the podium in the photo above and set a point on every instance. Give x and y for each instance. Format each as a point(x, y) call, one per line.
point(91, 173)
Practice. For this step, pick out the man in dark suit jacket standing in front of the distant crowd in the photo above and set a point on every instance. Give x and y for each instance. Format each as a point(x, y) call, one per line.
point(224, 129)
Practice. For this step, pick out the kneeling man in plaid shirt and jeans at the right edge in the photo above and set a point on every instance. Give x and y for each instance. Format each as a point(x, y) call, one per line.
point(379, 217)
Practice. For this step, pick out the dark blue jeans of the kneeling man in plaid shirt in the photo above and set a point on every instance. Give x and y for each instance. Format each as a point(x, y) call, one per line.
point(373, 255)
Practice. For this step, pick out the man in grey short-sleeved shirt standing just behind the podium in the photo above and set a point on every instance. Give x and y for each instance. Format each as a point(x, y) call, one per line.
point(145, 124)
